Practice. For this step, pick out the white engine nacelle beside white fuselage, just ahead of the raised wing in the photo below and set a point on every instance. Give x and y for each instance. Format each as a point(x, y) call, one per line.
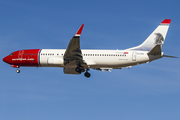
point(55, 61)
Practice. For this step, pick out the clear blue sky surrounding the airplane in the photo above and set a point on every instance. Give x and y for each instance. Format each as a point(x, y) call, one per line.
point(148, 91)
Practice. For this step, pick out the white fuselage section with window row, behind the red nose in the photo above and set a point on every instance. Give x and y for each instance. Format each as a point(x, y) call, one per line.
point(115, 59)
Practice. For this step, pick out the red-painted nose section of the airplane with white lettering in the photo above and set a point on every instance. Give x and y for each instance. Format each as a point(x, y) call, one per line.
point(24, 58)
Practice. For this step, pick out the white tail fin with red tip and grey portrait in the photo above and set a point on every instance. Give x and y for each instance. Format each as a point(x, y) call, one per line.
point(157, 37)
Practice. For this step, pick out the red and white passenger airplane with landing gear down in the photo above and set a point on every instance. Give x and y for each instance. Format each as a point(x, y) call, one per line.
point(75, 60)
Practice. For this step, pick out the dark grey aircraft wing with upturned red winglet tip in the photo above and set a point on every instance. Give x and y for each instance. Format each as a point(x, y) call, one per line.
point(73, 54)
